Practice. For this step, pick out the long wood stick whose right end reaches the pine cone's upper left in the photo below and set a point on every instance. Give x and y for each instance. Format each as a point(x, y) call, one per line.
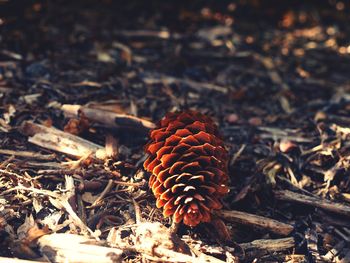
point(108, 118)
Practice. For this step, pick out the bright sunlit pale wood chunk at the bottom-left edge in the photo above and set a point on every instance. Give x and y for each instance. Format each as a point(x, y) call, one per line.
point(74, 248)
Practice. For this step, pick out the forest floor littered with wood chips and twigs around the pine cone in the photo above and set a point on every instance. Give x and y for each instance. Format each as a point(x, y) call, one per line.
point(275, 77)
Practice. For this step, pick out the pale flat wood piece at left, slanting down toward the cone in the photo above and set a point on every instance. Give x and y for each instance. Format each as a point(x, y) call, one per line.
point(57, 140)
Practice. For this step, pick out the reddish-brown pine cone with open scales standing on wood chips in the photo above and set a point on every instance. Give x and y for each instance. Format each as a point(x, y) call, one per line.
point(188, 163)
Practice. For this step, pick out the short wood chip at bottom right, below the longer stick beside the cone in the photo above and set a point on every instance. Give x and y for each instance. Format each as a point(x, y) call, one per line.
point(261, 247)
